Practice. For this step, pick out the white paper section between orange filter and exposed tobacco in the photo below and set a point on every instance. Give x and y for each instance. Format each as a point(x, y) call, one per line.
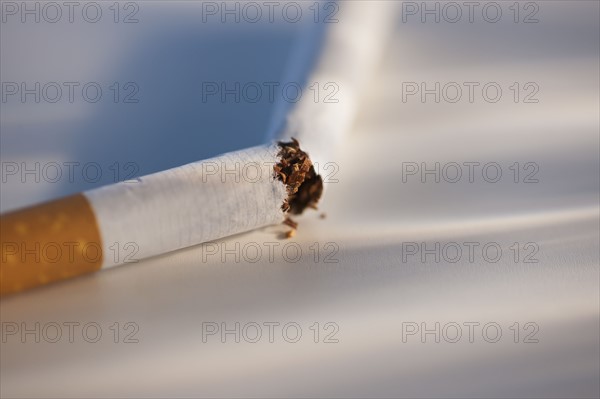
point(191, 204)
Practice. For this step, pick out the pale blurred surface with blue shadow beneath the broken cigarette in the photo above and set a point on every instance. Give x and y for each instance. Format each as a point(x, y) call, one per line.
point(371, 291)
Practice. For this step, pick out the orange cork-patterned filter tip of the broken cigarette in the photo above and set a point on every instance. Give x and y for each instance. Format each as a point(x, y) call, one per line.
point(49, 242)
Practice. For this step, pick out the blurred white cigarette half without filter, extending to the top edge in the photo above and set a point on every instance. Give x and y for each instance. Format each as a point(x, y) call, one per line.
point(352, 49)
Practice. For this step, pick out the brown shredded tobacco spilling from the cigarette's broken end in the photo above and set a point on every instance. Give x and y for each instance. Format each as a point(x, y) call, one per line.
point(297, 172)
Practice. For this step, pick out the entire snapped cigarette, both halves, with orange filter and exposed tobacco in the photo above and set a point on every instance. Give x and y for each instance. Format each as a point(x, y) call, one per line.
point(202, 201)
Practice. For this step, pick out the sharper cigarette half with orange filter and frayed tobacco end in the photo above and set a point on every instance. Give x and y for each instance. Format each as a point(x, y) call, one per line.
point(159, 213)
